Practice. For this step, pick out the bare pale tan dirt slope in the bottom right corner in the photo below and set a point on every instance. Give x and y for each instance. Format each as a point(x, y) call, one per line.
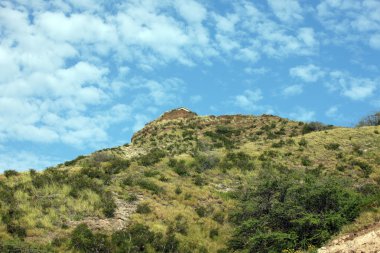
point(364, 241)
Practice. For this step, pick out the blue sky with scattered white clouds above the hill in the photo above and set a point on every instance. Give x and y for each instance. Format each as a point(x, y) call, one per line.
point(82, 75)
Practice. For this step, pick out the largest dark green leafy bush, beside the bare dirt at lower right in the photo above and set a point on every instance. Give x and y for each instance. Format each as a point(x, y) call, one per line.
point(292, 211)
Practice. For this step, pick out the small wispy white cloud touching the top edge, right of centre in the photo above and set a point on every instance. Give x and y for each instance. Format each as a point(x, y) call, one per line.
point(286, 10)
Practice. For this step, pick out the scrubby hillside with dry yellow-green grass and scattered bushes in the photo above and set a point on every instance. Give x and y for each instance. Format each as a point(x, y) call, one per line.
point(189, 183)
